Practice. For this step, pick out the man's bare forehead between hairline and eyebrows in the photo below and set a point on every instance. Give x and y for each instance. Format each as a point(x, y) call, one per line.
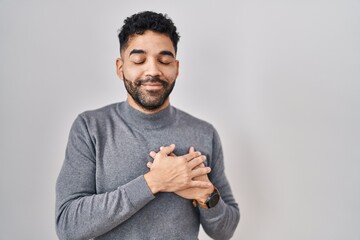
point(151, 42)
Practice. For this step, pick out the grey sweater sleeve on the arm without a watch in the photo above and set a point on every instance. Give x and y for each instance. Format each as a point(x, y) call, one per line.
point(81, 213)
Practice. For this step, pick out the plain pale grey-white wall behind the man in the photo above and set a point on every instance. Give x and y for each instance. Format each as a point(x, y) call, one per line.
point(280, 81)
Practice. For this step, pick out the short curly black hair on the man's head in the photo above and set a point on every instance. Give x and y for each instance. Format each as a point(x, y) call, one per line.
point(142, 21)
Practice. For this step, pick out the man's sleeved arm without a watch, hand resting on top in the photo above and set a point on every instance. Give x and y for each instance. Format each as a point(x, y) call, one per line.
point(82, 213)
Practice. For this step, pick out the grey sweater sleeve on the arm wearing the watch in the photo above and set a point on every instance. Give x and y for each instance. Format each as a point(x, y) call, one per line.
point(220, 221)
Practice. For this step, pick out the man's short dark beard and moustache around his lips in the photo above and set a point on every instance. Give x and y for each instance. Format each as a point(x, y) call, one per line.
point(148, 99)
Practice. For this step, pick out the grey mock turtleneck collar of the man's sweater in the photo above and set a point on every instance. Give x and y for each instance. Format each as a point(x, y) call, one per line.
point(144, 121)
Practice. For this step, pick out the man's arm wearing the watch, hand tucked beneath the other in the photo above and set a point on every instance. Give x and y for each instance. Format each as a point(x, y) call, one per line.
point(220, 221)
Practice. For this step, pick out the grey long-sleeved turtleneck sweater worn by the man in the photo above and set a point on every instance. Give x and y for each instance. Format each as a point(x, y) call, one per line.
point(101, 192)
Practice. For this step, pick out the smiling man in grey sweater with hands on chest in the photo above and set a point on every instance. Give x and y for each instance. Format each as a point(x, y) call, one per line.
point(134, 170)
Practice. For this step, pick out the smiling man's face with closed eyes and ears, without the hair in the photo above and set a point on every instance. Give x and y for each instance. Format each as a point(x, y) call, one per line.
point(149, 69)
